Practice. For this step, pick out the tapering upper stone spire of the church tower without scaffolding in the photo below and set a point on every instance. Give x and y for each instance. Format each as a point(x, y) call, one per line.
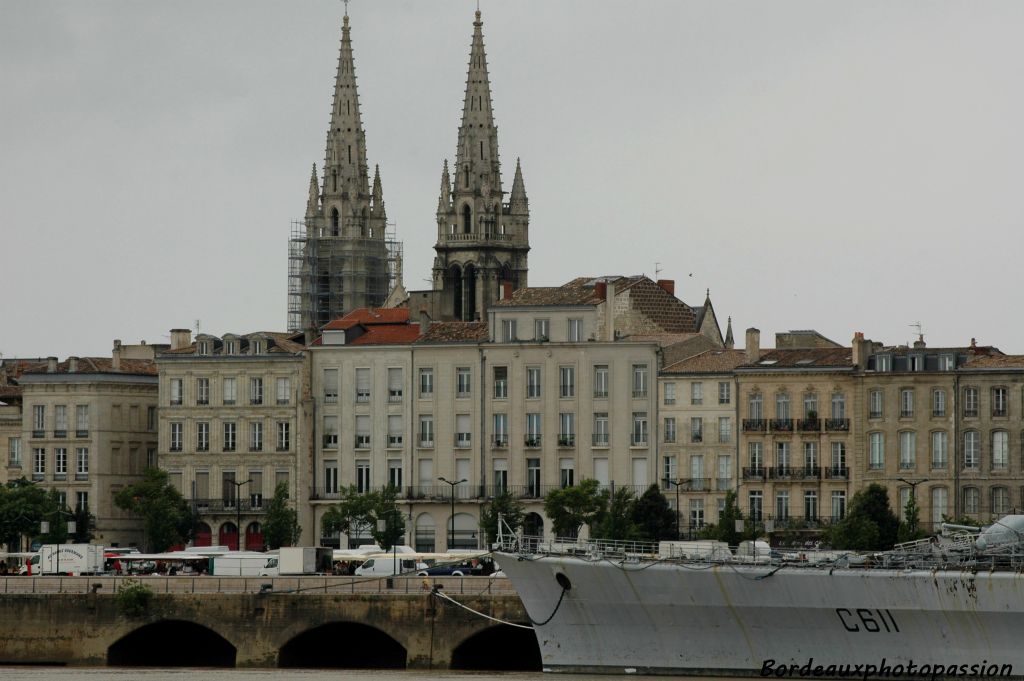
point(477, 163)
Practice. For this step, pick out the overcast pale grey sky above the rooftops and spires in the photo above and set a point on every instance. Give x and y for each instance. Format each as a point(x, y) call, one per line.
point(844, 167)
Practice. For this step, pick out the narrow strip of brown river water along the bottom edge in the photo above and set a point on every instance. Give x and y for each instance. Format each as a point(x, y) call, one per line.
point(206, 674)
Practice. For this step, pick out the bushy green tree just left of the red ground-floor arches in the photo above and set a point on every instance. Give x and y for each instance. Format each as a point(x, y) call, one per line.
point(166, 516)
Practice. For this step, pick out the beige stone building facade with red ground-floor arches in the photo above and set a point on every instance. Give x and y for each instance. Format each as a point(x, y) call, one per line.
point(232, 427)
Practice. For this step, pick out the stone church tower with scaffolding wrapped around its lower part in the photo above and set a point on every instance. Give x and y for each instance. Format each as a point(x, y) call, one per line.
point(338, 257)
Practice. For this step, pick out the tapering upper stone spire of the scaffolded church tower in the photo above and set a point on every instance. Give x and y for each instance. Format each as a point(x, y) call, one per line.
point(346, 168)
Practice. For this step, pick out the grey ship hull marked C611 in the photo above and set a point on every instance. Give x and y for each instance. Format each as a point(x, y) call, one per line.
point(734, 620)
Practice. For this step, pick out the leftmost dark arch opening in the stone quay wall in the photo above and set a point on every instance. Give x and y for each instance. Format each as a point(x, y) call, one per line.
point(172, 644)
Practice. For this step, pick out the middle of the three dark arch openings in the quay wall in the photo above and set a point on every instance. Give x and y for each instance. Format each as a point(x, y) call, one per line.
point(344, 646)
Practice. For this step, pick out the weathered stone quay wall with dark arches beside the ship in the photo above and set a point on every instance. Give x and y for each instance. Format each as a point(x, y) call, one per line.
point(402, 627)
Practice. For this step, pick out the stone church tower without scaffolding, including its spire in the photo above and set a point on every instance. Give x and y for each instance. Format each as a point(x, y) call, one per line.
point(482, 241)
